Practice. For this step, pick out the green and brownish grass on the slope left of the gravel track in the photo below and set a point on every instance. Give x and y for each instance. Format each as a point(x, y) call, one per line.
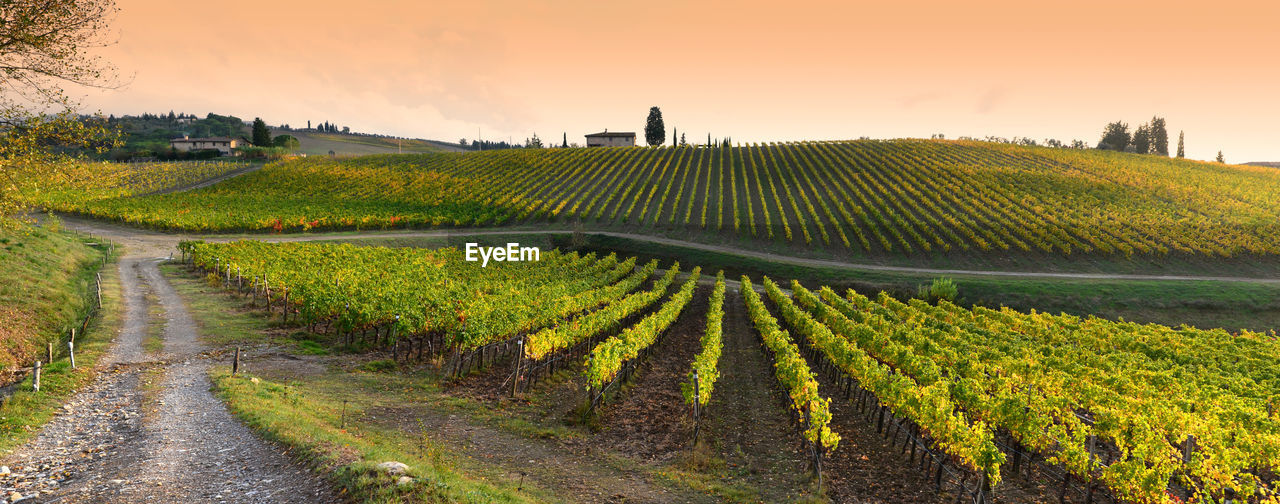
point(24, 413)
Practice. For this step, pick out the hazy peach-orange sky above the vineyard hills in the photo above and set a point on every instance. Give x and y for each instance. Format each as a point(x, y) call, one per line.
point(752, 71)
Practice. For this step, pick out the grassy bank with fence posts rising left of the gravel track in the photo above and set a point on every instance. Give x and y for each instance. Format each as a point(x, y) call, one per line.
point(54, 267)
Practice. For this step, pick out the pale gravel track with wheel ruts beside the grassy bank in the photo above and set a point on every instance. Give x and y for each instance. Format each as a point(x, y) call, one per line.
point(109, 446)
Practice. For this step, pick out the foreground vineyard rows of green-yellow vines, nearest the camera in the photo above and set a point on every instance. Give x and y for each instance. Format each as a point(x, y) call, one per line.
point(1137, 414)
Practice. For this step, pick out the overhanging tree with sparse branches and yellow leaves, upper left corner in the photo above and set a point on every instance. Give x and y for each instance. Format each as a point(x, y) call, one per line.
point(44, 47)
